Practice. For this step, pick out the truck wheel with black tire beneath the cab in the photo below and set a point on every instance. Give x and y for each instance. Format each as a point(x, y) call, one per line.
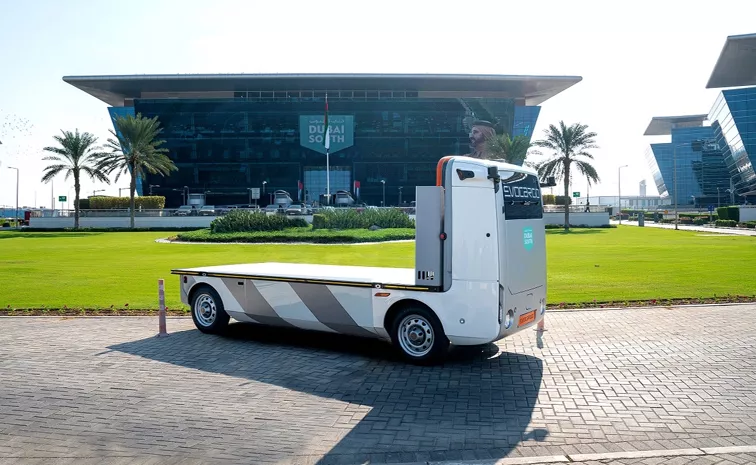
point(429, 345)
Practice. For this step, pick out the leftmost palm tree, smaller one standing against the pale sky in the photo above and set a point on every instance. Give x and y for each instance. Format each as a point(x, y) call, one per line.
point(75, 153)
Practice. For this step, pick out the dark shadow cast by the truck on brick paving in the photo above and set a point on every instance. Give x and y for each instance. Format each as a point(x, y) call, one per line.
point(478, 404)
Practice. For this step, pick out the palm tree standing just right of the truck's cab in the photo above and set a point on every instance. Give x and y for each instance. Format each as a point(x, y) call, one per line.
point(570, 145)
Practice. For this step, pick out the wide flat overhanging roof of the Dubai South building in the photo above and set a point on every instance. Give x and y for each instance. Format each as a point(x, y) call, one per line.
point(115, 89)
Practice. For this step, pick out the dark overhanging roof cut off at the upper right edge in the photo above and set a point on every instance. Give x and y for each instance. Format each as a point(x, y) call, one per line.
point(736, 66)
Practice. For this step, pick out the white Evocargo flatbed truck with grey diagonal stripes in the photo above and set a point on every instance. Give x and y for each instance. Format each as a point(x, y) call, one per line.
point(479, 276)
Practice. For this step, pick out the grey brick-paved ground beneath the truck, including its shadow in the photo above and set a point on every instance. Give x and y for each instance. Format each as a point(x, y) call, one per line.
point(85, 389)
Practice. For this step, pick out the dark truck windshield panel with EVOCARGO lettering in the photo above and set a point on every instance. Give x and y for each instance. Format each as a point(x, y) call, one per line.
point(522, 196)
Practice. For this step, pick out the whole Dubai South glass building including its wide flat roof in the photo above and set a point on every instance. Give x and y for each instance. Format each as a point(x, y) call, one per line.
point(230, 134)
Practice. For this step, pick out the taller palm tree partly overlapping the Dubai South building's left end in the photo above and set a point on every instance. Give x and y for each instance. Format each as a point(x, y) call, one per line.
point(136, 150)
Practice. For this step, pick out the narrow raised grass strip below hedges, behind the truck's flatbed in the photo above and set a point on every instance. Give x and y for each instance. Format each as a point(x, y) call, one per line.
point(300, 235)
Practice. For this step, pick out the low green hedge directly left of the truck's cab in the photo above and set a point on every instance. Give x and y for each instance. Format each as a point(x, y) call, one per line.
point(388, 218)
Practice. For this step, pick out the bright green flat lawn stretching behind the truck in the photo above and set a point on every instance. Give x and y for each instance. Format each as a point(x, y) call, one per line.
point(96, 270)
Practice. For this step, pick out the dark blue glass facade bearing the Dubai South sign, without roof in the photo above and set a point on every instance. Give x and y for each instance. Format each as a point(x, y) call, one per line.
point(223, 147)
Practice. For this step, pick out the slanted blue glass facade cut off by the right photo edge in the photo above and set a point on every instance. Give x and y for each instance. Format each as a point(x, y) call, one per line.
point(733, 118)
